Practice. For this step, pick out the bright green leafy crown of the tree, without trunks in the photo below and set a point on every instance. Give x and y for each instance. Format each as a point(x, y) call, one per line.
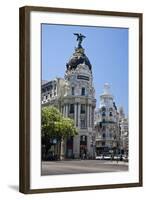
point(55, 125)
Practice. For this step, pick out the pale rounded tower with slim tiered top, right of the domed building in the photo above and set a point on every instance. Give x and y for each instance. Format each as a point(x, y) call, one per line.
point(107, 125)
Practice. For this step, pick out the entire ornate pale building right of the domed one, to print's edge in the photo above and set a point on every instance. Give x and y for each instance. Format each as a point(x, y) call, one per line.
point(111, 126)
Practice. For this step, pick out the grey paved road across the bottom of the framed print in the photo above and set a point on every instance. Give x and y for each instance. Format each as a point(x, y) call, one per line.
point(82, 166)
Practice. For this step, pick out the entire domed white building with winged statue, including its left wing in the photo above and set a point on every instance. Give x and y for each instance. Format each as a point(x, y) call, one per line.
point(74, 95)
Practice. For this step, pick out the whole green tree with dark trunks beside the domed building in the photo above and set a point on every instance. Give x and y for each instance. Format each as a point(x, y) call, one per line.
point(55, 126)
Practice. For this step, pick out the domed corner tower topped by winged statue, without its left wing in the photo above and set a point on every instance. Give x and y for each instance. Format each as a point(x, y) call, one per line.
point(79, 102)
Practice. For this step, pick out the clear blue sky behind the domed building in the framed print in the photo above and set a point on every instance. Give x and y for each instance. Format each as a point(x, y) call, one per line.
point(106, 48)
